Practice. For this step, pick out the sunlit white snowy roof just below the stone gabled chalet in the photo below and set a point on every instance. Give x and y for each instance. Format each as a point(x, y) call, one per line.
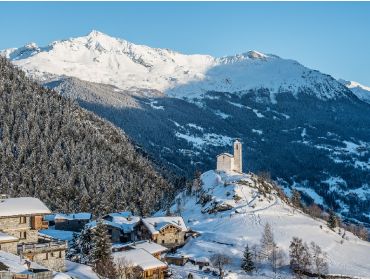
point(139, 257)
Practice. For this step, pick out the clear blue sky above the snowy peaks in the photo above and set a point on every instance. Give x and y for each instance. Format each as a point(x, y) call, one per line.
point(333, 37)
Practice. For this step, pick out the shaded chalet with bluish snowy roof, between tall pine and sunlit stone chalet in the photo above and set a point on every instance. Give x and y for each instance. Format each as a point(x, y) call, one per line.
point(122, 226)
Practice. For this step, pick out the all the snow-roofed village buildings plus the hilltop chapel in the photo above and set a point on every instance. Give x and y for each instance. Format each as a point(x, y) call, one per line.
point(34, 241)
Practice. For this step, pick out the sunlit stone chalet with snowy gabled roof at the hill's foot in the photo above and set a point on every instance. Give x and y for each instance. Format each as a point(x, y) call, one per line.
point(167, 231)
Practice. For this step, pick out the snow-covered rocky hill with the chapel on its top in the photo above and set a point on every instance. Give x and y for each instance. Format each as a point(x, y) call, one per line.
point(230, 210)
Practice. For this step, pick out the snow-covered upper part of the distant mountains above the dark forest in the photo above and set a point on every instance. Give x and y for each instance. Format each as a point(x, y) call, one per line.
point(100, 58)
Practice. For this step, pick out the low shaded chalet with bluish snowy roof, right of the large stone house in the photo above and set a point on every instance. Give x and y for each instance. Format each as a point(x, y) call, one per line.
point(71, 222)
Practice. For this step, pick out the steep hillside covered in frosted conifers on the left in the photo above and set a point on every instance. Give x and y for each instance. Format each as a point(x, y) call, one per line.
point(52, 149)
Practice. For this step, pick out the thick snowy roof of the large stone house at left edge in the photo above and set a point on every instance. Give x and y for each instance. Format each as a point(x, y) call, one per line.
point(22, 206)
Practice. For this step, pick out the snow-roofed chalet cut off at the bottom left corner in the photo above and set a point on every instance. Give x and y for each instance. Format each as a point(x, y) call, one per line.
point(12, 267)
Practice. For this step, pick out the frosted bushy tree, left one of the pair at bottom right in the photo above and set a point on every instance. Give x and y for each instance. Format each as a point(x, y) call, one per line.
point(300, 258)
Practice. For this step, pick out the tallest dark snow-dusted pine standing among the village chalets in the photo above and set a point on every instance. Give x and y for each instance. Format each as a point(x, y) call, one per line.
point(102, 252)
